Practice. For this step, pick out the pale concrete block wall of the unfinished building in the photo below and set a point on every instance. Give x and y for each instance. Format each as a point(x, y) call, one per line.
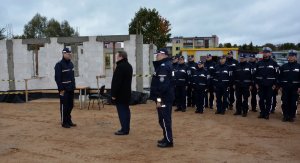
point(91, 63)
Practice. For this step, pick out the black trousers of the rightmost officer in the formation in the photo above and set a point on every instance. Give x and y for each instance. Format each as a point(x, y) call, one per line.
point(289, 101)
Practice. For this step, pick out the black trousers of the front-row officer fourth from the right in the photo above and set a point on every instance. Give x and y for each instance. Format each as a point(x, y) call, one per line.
point(222, 99)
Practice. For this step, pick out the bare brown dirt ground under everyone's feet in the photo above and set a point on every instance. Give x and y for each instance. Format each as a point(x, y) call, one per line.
point(31, 132)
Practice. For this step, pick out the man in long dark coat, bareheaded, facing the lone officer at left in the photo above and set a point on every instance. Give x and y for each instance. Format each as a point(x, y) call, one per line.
point(121, 91)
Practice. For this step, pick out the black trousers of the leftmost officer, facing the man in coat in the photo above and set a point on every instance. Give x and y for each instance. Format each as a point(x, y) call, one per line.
point(66, 107)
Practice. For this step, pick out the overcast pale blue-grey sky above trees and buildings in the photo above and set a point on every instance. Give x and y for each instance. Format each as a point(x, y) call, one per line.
point(235, 21)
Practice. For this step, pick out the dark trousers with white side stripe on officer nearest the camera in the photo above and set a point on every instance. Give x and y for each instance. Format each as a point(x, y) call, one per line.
point(165, 121)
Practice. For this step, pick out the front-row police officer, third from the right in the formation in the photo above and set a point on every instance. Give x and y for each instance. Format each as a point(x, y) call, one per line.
point(243, 80)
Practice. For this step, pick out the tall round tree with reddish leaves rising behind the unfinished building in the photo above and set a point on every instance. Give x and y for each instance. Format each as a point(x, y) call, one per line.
point(154, 28)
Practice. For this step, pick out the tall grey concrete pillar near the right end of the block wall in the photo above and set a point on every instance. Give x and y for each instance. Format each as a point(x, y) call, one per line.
point(139, 63)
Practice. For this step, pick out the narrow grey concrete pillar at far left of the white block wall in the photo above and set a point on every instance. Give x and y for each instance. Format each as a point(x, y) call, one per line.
point(10, 64)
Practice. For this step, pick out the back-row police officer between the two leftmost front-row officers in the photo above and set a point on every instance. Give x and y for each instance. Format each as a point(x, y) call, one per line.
point(190, 93)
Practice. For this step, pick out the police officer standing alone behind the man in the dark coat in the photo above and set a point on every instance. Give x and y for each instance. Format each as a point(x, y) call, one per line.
point(162, 92)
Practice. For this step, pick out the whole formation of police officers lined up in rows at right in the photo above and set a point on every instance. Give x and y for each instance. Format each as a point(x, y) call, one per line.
point(230, 80)
